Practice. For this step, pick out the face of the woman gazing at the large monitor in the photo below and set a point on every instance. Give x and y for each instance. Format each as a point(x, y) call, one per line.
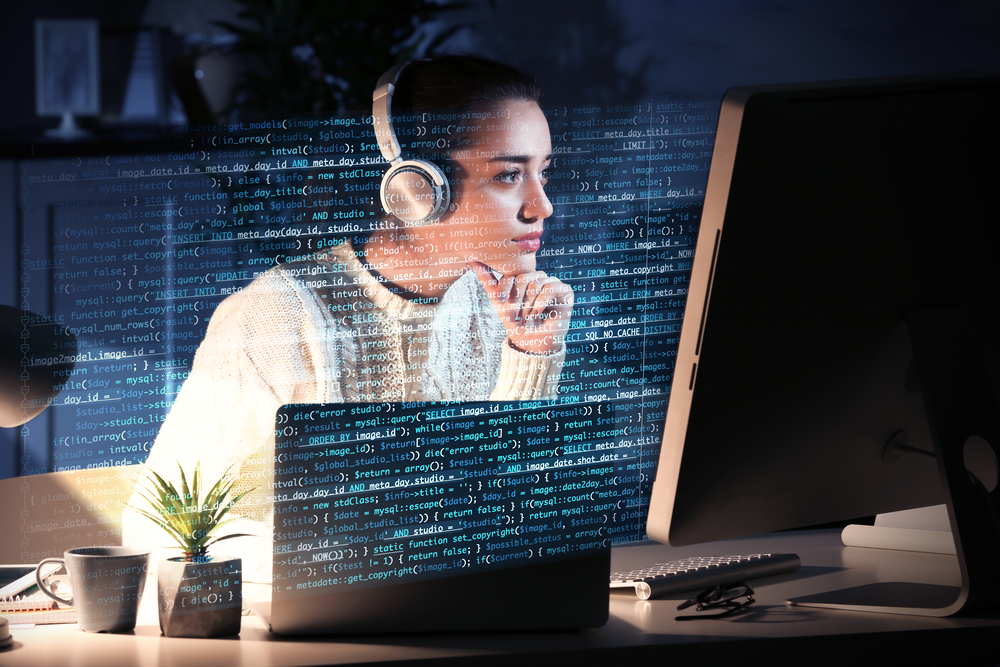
point(499, 191)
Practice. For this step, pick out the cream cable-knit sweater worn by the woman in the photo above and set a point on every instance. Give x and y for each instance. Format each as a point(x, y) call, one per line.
point(324, 331)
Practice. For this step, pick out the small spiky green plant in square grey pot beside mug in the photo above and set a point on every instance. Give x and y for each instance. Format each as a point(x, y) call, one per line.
point(198, 596)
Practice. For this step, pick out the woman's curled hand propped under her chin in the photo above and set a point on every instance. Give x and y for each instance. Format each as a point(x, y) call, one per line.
point(534, 307)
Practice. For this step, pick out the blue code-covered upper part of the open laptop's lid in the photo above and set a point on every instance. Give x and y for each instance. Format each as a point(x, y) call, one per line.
point(371, 494)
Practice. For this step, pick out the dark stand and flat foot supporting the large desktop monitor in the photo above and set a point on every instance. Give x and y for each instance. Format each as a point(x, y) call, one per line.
point(963, 414)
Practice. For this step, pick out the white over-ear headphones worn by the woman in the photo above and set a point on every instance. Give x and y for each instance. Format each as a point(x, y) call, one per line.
point(415, 191)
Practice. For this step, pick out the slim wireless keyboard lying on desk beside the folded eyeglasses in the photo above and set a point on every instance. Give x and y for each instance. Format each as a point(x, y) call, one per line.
point(695, 574)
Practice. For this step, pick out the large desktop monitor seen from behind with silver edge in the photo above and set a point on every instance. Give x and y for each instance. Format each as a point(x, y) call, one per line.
point(844, 311)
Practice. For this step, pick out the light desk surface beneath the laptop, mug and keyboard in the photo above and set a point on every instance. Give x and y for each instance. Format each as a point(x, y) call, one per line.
point(773, 634)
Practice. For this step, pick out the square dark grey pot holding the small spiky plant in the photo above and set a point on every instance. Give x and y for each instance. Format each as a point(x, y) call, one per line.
point(200, 599)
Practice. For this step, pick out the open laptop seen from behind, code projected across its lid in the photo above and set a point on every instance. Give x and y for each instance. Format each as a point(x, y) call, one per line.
point(441, 517)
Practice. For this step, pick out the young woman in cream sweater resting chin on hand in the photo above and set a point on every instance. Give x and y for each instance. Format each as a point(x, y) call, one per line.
point(451, 310)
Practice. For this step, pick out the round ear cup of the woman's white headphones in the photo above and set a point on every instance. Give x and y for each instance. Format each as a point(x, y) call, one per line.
point(416, 192)
